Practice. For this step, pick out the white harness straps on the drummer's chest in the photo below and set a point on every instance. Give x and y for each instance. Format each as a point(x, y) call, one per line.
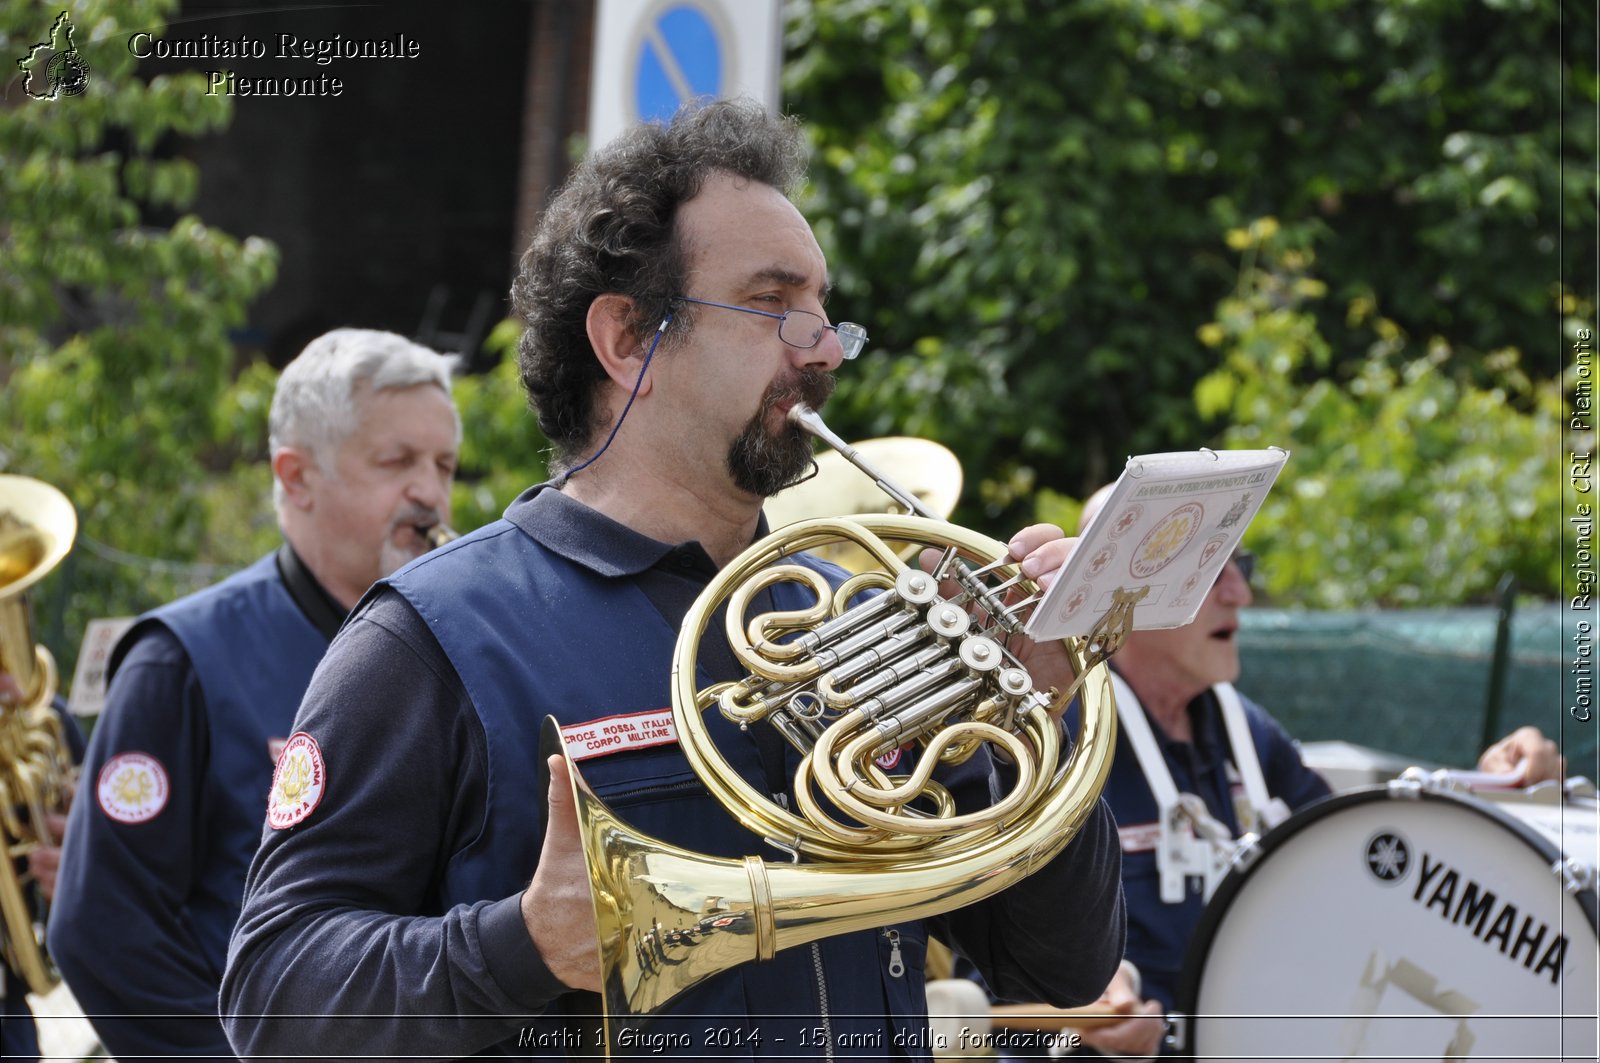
point(1193, 841)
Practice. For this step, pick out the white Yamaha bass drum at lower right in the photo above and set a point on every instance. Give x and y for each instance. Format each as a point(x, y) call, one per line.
point(1404, 923)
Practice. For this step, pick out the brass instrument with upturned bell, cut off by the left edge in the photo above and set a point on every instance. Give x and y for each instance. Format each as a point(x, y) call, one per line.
point(38, 526)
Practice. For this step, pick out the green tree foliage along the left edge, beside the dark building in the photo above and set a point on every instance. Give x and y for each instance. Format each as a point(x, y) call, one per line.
point(118, 375)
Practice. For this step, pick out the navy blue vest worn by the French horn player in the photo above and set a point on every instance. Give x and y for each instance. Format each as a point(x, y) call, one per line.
point(534, 635)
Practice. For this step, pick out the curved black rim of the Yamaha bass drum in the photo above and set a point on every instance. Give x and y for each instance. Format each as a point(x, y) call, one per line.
point(1222, 902)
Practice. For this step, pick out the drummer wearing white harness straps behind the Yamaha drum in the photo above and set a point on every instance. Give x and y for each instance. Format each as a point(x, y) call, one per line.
point(1183, 681)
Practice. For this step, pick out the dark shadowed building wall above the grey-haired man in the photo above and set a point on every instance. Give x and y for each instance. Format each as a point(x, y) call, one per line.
point(394, 204)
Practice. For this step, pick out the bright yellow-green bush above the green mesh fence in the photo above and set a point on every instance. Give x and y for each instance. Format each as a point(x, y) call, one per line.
point(1410, 481)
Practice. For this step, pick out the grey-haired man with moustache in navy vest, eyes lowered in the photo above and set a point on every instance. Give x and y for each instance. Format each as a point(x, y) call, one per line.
point(204, 691)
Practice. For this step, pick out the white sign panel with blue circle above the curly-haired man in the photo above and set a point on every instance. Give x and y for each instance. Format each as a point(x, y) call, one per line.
point(652, 57)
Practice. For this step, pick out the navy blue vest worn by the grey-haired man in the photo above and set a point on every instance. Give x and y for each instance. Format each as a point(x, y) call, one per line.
point(254, 652)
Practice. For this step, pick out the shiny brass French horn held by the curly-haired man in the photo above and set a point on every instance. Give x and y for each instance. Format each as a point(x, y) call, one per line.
point(846, 684)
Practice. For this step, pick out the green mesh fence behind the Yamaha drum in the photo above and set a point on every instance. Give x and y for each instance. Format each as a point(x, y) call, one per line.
point(1415, 683)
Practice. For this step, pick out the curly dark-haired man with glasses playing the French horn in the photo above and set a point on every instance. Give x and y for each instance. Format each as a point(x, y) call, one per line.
point(674, 300)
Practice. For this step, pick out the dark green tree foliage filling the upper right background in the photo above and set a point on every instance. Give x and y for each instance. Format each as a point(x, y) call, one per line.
point(1028, 206)
